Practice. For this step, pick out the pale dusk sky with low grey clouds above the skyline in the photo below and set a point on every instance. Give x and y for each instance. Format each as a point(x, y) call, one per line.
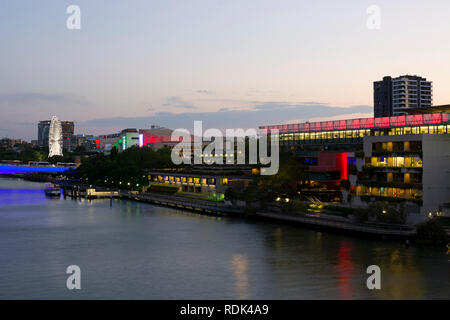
point(240, 63)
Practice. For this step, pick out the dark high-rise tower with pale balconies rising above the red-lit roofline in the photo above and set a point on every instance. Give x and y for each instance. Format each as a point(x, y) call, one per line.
point(396, 96)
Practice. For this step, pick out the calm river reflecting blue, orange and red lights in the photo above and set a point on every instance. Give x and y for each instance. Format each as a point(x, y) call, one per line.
point(134, 250)
